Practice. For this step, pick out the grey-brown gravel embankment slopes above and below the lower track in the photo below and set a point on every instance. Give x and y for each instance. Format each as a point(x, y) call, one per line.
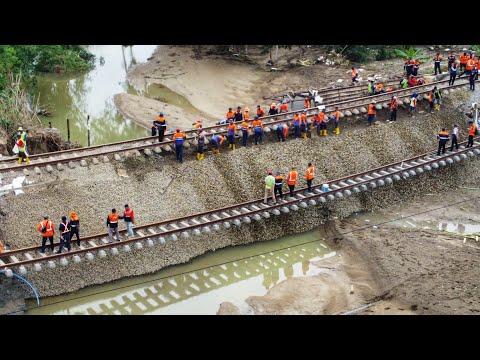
point(219, 181)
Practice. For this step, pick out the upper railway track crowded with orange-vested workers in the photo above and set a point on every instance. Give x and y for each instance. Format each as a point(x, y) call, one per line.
point(149, 145)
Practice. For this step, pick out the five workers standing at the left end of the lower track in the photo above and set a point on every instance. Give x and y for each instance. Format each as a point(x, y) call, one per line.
point(68, 228)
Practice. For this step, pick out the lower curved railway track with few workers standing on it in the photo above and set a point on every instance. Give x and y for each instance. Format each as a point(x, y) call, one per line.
point(149, 235)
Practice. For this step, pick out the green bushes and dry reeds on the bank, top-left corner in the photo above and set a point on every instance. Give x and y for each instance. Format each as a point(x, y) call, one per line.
point(18, 66)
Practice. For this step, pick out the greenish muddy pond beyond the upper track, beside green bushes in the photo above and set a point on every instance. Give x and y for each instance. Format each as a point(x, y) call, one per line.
point(76, 96)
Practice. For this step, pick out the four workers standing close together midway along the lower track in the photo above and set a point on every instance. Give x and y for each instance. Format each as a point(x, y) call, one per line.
point(274, 184)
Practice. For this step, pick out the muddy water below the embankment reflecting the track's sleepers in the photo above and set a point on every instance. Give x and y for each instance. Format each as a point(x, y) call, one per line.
point(199, 287)
